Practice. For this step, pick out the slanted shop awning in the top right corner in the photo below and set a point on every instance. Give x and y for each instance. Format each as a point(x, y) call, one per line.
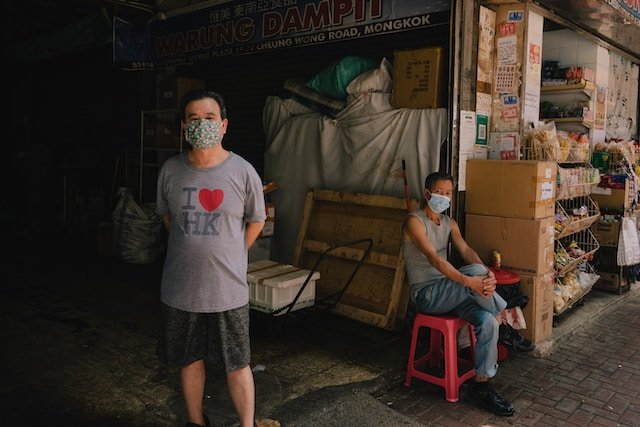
point(615, 21)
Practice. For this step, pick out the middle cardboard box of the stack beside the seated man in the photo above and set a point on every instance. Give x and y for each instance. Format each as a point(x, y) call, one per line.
point(525, 245)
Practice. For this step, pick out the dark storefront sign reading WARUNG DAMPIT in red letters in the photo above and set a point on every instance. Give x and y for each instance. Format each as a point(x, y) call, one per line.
point(241, 28)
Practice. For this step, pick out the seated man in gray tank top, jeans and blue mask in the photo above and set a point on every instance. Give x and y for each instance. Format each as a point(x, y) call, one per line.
point(437, 287)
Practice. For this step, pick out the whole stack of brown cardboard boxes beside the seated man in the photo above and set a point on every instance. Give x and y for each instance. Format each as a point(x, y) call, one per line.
point(510, 208)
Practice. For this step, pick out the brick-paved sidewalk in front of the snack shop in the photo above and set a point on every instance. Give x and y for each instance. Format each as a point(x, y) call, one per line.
point(590, 378)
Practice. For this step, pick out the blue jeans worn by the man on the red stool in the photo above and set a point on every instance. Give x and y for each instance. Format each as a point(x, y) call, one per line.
point(446, 296)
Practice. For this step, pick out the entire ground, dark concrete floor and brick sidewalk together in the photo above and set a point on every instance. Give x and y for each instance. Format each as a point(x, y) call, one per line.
point(79, 348)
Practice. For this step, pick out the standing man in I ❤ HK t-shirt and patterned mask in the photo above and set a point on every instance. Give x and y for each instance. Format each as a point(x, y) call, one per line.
point(212, 205)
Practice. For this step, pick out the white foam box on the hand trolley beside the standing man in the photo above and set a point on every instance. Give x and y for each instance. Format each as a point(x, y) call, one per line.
point(273, 286)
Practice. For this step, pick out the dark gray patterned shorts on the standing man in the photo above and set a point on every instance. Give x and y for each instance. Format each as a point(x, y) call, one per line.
point(219, 338)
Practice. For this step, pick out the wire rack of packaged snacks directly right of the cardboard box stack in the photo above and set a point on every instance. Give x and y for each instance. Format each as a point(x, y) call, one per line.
point(575, 210)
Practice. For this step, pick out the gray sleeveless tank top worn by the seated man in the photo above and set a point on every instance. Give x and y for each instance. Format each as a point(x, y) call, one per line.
point(419, 269)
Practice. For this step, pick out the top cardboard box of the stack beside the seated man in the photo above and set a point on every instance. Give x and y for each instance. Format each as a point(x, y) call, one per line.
point(523, 189)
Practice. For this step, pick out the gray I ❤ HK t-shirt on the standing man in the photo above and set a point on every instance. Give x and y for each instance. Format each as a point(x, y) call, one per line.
point(206, 265)
